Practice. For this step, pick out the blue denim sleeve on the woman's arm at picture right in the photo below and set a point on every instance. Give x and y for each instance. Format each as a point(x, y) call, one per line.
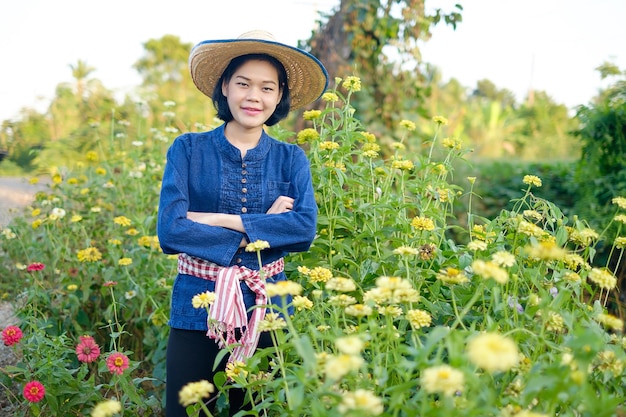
point(295, 230)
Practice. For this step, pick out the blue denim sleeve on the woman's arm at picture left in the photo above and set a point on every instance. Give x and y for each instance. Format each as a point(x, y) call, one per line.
point(178, 234)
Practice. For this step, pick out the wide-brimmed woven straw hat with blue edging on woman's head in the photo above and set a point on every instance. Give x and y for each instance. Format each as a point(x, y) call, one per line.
point(306, 75)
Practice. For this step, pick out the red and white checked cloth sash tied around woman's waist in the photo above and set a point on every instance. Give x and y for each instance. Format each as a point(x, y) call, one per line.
point(228, 312)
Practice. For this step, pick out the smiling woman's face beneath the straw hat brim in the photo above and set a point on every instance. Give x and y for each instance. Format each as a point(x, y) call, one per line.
point(253, 93)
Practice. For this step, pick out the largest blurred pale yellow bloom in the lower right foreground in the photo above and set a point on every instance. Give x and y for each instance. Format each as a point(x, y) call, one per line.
point(493, 352)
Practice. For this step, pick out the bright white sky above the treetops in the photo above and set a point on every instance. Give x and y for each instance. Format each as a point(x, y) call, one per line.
point(549, 45)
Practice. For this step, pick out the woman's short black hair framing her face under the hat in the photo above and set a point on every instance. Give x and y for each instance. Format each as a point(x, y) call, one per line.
point(221, 104)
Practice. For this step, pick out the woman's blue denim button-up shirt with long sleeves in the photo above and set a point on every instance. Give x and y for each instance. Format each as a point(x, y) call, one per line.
point(205, 173)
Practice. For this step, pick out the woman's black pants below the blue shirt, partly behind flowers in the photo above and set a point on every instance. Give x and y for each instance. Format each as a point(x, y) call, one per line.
point(190, 358)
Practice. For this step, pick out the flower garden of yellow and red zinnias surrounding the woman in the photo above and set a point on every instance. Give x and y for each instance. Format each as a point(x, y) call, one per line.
point(400, 308)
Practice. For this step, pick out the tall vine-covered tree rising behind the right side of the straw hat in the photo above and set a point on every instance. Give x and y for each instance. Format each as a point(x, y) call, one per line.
point(378, 40)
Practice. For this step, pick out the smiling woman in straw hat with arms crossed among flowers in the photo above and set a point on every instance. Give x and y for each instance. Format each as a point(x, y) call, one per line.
point(228, 187)
